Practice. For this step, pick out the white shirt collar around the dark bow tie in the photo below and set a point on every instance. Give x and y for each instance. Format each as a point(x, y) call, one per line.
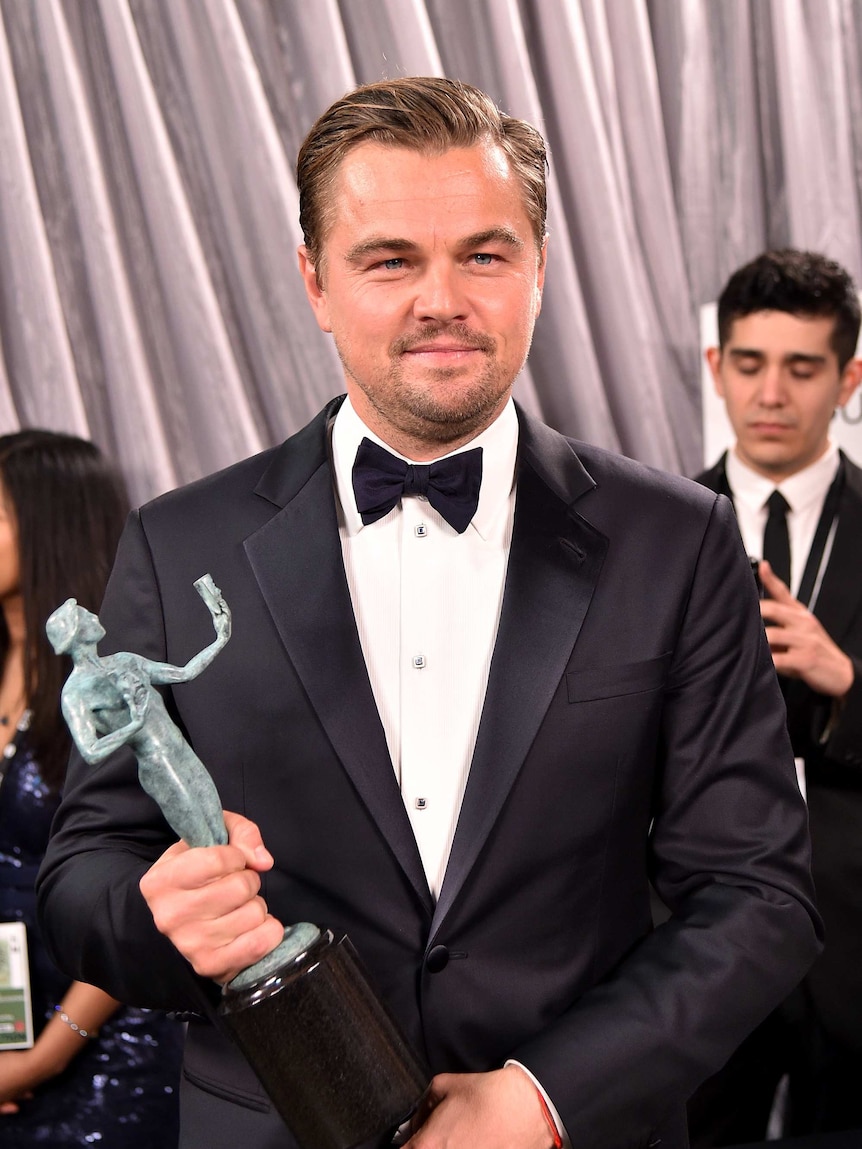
point(499, 443)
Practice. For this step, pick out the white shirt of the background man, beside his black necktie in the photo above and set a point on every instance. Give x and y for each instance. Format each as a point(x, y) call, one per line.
point(805, 492)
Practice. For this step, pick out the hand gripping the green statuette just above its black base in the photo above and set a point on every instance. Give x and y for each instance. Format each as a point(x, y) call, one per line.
point(207, 901)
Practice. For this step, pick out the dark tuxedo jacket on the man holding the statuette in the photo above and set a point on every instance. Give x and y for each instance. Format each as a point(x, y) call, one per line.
point(633, 729)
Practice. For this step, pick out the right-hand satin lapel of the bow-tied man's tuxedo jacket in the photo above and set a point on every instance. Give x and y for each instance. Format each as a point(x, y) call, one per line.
point(555, 565)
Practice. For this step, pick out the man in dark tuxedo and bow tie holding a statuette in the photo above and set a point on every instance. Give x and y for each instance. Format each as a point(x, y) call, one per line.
point(483, 685)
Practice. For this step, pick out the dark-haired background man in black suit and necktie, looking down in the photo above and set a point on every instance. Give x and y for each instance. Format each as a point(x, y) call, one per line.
point(788, 329)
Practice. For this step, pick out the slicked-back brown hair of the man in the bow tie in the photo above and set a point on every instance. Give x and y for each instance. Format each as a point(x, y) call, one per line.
point(425, 114)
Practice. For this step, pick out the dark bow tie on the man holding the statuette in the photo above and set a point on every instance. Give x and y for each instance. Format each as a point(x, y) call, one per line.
point(451, 485)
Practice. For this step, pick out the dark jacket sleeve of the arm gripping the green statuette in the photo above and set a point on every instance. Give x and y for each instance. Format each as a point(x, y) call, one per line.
point(109, 832)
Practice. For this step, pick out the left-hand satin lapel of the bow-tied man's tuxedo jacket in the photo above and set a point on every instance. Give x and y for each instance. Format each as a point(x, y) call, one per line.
point(297, 561)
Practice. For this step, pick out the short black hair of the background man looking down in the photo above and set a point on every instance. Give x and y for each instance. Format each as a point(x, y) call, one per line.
point(799, 283)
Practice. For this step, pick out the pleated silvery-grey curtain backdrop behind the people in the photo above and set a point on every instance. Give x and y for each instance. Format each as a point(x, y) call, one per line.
point(149, 291)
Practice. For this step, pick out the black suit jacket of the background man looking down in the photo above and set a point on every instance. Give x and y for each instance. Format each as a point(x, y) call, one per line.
point(832, 744)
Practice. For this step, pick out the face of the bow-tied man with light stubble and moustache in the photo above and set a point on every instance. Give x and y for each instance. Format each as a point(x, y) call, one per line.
point(432, 287)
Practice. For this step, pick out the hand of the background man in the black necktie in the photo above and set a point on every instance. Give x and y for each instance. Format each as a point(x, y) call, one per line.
point(801, 646)
